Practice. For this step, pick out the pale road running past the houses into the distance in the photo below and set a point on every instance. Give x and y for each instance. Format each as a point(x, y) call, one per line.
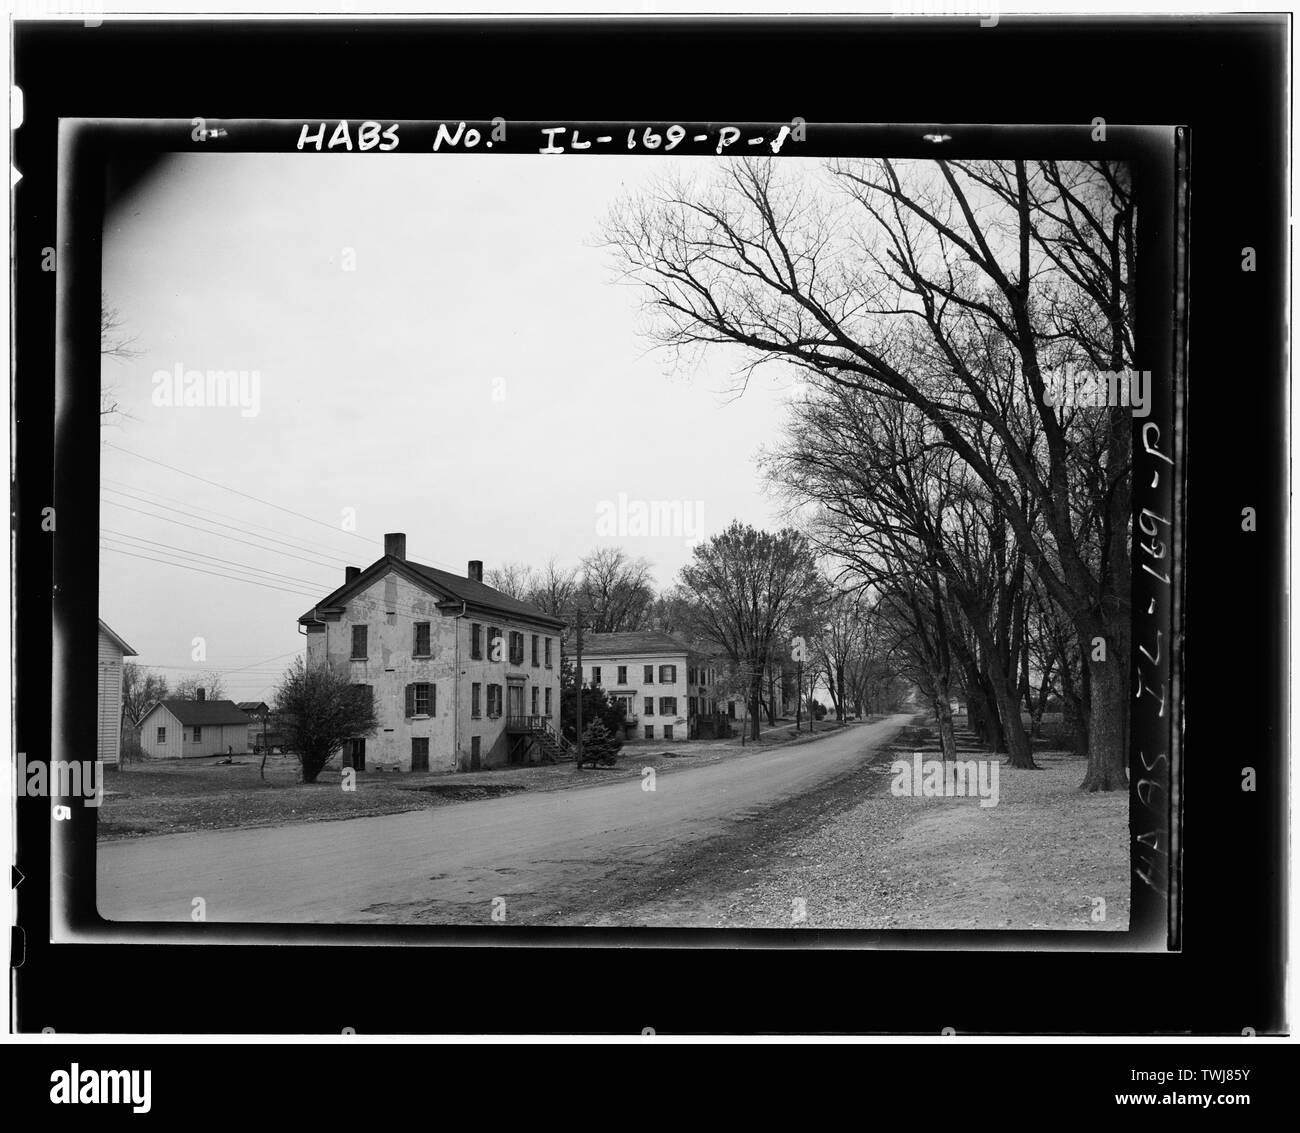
point(543, 852)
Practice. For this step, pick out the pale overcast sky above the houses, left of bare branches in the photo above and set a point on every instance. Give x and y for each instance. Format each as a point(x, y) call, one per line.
point(478, 383)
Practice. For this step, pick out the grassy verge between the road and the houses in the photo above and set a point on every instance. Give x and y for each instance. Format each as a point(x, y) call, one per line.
point(180, 797)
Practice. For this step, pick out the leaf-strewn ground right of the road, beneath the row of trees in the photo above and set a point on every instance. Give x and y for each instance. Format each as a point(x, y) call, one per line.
point(855, 856)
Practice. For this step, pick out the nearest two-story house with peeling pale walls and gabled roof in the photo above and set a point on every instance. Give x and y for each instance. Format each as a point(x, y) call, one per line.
point(463, 676)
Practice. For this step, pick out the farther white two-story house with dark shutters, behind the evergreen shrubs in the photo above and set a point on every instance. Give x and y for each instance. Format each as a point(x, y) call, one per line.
point(666, 687)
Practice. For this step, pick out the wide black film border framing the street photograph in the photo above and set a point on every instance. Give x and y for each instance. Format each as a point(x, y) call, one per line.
point(75, 480)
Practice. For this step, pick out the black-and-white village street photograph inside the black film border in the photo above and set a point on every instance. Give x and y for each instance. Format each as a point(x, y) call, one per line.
point(629, 539)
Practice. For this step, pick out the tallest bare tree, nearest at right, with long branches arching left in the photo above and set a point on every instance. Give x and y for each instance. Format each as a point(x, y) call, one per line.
point(957, 288)
